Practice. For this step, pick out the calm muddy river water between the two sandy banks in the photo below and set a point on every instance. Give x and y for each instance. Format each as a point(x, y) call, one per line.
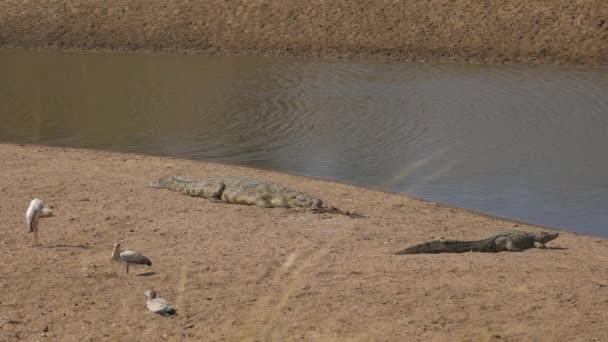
point(517, 142)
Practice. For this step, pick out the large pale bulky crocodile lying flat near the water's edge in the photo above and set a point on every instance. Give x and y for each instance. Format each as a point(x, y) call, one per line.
point(239, 190)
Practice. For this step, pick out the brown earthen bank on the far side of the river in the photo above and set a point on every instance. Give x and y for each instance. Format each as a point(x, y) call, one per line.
point(547, 31)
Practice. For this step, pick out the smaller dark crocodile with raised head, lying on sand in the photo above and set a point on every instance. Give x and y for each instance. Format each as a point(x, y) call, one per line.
point(510, 240)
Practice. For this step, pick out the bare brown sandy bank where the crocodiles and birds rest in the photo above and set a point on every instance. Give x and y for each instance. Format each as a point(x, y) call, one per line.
point(246, 273)
